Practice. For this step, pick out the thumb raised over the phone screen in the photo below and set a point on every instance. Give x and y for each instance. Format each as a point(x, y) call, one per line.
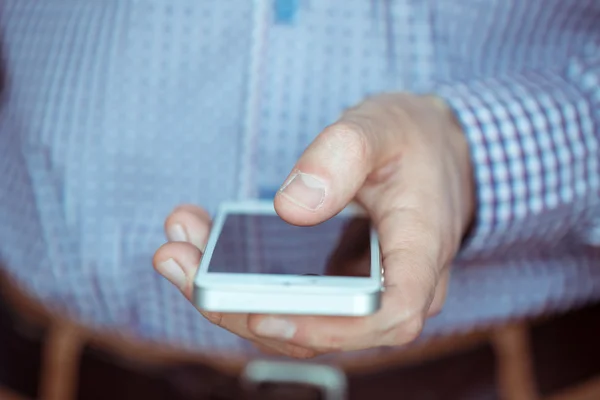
point(327, 176)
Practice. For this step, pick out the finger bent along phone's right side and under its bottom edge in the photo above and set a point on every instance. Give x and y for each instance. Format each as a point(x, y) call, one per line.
point(411, 279)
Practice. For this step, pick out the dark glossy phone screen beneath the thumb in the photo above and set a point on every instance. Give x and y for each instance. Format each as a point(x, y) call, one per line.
point(265, 244)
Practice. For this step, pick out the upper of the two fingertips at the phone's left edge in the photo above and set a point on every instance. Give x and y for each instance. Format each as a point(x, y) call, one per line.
point(188, 223)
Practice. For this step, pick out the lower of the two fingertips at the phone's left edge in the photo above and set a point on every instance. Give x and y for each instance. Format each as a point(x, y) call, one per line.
point(178, 263)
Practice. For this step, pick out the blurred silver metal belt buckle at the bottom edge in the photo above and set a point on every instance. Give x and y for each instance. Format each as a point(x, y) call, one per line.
point(331, 381)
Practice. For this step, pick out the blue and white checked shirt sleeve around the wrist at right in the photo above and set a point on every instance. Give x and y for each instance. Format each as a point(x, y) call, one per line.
point(534, 138)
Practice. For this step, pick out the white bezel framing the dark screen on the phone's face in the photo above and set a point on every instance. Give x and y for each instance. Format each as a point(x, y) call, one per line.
point(273, 282)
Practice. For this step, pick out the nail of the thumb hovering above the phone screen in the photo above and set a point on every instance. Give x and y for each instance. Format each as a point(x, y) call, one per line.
point(305, 190)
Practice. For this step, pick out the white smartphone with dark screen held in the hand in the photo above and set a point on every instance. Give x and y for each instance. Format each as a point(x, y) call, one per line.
point(257, 263)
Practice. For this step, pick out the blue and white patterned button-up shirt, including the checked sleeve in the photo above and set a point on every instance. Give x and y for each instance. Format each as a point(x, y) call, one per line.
point(115, 111)
